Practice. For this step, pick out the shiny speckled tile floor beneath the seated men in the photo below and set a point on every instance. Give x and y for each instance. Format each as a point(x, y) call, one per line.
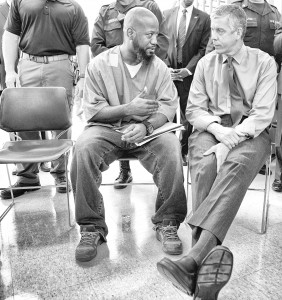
point(37, 247)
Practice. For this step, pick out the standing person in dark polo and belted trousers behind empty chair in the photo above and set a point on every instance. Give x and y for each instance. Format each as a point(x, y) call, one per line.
point(48, 35)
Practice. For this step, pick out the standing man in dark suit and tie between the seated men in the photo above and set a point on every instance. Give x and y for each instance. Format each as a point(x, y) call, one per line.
point(189, 32)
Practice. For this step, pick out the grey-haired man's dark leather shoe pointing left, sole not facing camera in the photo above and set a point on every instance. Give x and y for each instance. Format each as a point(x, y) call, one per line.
point(176, 272)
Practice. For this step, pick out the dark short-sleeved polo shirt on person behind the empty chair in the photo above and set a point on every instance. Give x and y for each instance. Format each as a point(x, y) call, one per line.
point(48, 27)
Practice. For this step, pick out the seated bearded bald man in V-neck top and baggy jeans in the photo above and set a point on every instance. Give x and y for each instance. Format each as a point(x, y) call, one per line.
point(128, 93)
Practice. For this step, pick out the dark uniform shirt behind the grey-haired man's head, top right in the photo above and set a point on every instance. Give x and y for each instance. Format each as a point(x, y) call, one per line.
point(261, 25)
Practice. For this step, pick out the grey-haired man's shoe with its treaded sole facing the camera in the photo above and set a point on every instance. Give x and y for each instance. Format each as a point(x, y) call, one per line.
point(214, 272)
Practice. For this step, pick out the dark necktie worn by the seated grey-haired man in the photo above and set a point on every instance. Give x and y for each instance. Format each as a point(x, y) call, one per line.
point(236, 110)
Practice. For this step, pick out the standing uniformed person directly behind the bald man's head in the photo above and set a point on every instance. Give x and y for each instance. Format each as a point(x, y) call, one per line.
point(108, 32)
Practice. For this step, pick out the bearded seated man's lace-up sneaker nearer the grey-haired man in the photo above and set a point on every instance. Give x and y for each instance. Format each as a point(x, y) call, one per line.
point(167, 234)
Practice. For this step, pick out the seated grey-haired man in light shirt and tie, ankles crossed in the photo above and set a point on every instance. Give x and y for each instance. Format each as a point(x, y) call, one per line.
point(231, 104)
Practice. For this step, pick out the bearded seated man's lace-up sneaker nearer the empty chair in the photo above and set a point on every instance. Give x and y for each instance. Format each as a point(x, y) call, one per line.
point(87, 247)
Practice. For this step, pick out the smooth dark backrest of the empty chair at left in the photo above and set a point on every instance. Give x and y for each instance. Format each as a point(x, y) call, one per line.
point(34, 109)
